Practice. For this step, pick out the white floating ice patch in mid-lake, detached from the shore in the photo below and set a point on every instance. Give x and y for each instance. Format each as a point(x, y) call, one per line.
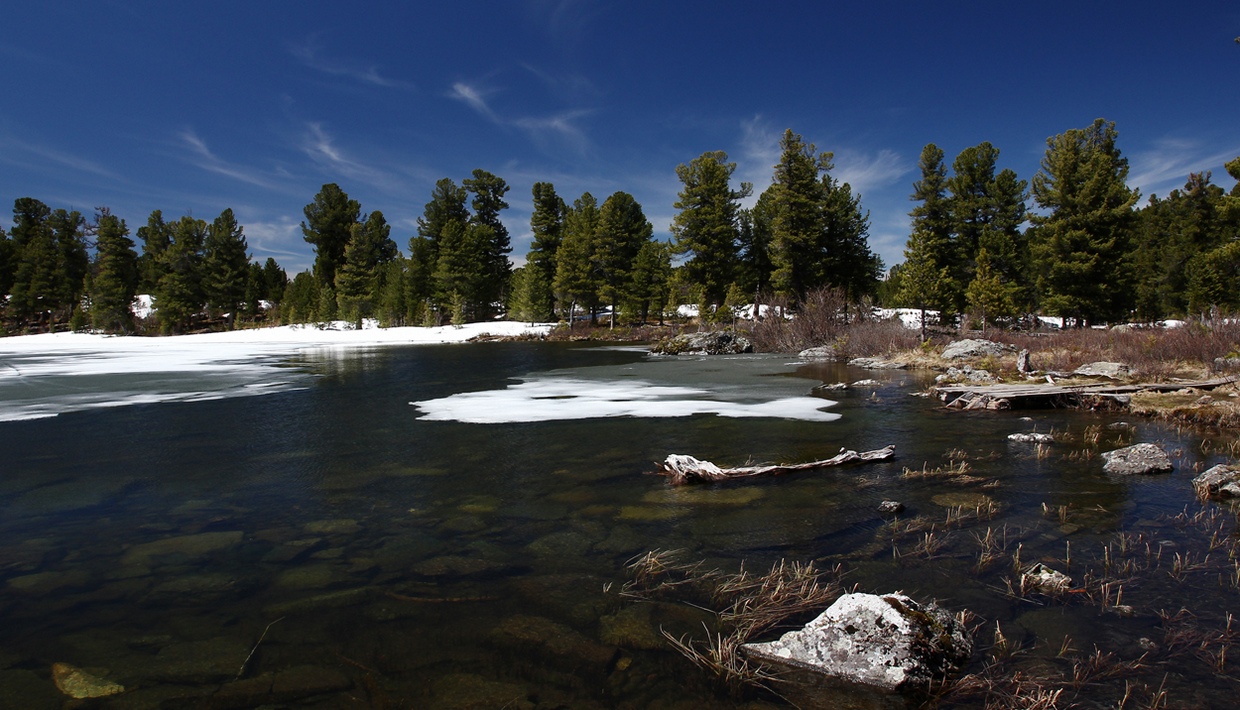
point(565, 398)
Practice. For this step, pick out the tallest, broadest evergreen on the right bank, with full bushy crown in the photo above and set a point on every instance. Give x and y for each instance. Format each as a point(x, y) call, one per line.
point(1081, 243)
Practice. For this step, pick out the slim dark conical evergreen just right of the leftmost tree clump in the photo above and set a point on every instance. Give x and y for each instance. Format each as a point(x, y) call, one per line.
point(115, 278)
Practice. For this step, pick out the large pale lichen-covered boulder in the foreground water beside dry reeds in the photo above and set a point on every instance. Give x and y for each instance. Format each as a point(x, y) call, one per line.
point(887, 642)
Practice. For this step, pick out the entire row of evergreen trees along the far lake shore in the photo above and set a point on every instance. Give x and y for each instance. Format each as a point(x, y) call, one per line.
point(1083, 251)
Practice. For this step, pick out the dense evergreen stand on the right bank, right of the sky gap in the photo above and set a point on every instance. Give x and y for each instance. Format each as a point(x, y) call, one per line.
point(1086, 253)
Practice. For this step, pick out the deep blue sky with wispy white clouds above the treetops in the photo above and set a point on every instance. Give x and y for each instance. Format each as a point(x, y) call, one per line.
point(195, 107)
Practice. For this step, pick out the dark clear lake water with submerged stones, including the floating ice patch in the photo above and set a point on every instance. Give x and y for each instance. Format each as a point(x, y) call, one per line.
point(410, 559)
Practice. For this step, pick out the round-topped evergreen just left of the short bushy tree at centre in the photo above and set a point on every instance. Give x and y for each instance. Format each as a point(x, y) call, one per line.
point(622, 231)
